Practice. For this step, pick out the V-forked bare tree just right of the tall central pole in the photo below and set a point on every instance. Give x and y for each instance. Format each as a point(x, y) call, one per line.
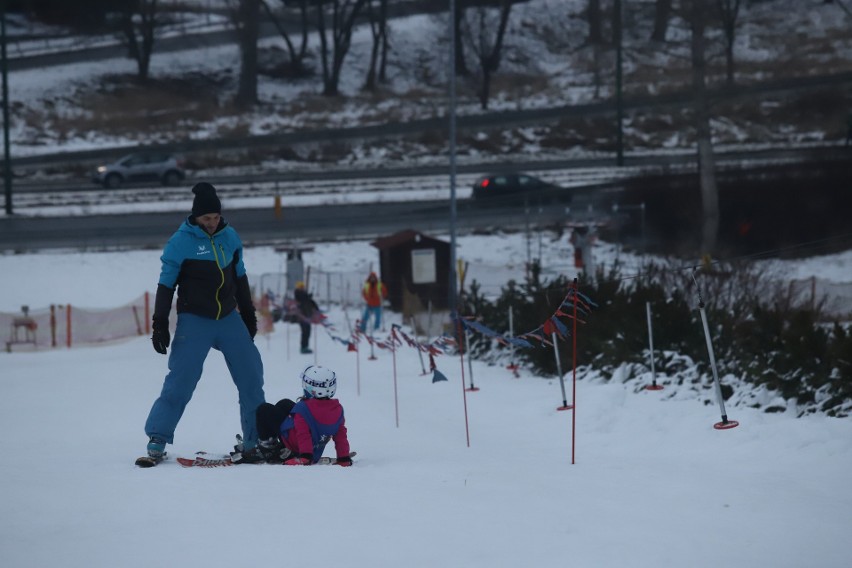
point(485, 43)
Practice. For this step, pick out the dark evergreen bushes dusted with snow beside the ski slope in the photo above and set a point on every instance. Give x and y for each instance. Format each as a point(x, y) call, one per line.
point(758, 331)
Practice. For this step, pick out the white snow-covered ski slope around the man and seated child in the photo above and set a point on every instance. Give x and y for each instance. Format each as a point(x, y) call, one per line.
point(652, 483)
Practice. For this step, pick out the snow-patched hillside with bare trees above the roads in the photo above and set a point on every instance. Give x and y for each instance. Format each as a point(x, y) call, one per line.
point(546, 63)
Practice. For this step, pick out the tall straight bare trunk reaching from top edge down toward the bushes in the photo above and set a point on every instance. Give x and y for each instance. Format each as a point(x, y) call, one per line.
point(698, 15)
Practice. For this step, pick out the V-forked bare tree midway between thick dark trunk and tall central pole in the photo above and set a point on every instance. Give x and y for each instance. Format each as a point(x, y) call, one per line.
point(333, 49)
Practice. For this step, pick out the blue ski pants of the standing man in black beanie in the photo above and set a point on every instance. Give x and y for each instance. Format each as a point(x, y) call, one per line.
point(194, 337)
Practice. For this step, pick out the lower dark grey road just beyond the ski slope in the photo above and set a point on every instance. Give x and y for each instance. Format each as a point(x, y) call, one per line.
point(261, 226)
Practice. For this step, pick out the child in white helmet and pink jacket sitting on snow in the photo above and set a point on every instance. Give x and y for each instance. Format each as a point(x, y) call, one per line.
point(296, 433)
